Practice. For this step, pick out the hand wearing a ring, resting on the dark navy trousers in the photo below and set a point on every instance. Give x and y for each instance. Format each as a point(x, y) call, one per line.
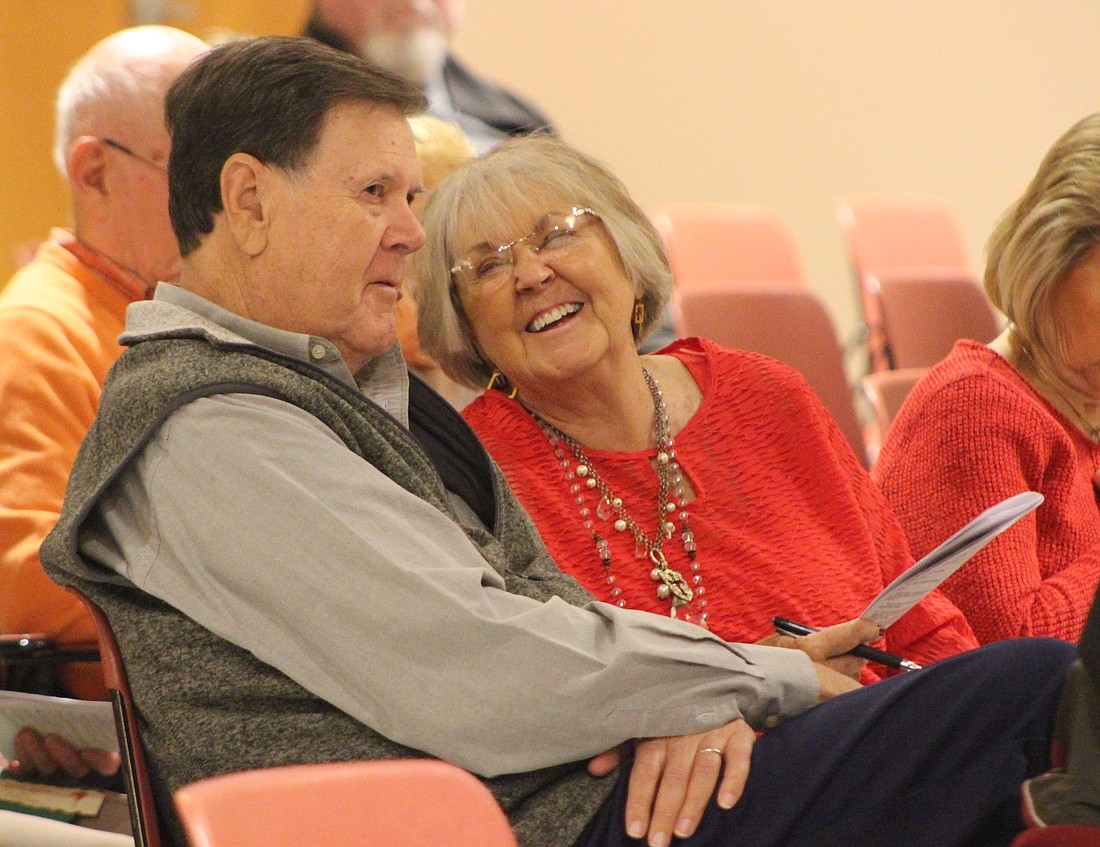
point(674, 779)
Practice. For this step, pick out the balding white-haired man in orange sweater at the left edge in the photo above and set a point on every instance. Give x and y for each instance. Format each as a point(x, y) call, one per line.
point(61, 315)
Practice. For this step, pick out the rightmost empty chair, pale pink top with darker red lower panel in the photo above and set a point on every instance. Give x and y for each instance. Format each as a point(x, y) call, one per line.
point(918, 291)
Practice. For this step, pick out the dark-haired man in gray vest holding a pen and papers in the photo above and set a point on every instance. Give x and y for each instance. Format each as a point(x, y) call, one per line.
point(304, 553)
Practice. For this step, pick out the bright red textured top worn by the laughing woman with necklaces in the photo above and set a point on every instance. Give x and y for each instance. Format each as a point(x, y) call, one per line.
point(786, 520)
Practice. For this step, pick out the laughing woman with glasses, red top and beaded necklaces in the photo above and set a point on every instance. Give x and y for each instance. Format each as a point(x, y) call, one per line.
point(706, 483)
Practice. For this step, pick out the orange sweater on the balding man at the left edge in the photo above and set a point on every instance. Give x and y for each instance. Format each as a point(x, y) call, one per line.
point(60, 322)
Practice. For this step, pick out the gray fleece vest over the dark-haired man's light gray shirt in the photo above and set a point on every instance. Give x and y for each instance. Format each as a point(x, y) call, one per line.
point(207, 707)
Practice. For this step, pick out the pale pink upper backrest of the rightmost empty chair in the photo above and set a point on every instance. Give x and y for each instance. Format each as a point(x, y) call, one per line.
point(892, 235)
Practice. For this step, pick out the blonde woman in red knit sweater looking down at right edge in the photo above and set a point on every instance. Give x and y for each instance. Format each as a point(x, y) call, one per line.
point(1020, 413)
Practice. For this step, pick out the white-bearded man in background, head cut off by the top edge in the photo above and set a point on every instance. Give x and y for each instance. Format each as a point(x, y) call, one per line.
point(412, 39)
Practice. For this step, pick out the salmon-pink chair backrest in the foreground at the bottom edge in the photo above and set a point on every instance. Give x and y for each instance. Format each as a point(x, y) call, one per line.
point(403, 802)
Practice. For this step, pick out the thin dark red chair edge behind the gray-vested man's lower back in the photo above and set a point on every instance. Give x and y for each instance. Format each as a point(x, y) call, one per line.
point(136, 772)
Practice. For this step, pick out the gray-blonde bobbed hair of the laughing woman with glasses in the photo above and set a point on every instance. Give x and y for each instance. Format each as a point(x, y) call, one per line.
point(488, 194)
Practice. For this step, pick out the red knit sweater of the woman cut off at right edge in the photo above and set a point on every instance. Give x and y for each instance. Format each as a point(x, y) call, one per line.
point(973, 433)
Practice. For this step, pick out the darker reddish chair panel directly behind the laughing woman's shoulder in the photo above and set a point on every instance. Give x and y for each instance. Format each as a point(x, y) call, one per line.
point(785, 323)
